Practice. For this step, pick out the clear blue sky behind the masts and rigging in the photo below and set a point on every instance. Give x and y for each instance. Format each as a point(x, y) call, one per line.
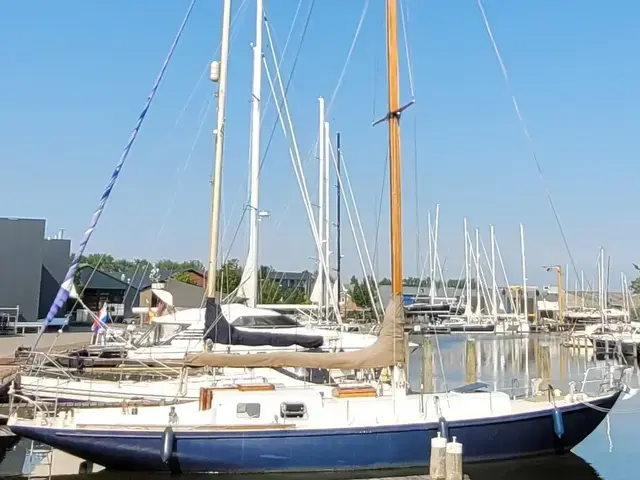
point(75, 75)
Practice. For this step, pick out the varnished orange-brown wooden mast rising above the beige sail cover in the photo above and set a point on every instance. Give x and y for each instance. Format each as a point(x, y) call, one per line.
point(394, 150)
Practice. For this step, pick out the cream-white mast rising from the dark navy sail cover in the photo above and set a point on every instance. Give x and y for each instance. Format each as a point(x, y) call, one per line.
point(221, 77)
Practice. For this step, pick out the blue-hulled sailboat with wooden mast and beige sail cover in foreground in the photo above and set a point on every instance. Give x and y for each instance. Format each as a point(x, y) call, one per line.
point(378, 424)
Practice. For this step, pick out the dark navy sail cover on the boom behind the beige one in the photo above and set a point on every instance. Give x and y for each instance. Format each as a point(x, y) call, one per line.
point(219, 330)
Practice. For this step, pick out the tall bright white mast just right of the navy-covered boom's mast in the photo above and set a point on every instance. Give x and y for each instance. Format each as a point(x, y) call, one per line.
point(249, 282)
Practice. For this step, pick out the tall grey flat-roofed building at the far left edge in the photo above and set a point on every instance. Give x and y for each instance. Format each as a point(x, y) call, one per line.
point(32, 267)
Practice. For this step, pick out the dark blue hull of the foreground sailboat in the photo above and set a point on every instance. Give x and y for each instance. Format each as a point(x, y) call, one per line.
point(380, 447)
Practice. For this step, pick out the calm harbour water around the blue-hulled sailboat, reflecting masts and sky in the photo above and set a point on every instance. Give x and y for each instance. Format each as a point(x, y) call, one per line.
point(604, 455)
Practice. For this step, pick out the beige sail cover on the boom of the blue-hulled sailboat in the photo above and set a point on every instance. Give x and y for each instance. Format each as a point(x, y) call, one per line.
point(388, 350)
